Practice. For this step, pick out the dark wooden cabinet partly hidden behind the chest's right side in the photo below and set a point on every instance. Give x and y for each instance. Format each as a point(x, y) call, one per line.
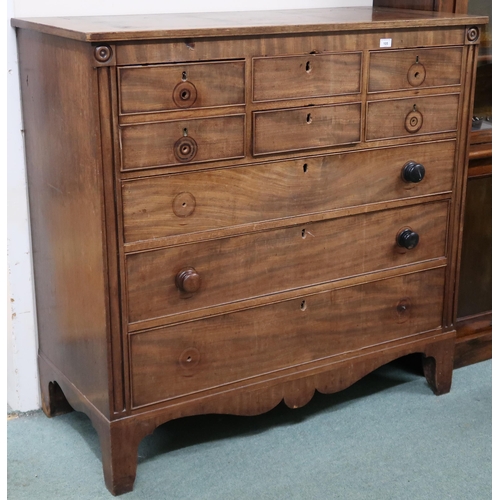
point(473, 290)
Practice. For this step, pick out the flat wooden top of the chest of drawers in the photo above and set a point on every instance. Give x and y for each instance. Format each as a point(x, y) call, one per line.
point(216, 24)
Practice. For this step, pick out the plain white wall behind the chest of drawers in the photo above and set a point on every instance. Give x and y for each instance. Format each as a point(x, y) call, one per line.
point(22, 382)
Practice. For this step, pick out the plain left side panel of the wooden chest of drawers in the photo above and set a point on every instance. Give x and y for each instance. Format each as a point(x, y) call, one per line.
point(65, 182)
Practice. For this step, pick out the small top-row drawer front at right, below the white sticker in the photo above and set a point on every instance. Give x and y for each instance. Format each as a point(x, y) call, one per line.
point(418, 68)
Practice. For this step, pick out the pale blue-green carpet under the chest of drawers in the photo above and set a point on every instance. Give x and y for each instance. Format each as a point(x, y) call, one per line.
point(386, 437)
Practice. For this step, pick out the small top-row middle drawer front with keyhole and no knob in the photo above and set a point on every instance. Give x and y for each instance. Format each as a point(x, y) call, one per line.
point(294, 77)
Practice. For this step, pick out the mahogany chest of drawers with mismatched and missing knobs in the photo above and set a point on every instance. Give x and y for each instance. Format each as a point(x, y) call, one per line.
point(231, 210)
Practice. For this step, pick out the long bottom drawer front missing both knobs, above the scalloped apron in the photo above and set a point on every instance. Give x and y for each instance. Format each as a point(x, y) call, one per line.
point(210, 353)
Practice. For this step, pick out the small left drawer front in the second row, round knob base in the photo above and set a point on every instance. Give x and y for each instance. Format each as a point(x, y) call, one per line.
point(182, 141)
